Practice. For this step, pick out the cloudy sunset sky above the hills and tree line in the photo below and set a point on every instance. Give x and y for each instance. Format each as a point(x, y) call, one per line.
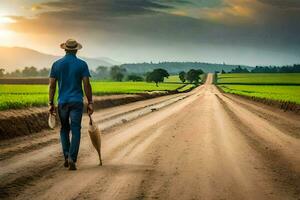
point(249, 32)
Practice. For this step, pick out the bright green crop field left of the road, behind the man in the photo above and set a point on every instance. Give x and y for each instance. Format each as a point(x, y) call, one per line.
point(21, 96)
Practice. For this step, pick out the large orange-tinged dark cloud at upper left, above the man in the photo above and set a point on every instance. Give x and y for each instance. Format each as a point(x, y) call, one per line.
point(61, 16)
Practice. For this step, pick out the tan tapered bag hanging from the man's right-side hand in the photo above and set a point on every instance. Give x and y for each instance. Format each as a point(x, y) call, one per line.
point(95, 136)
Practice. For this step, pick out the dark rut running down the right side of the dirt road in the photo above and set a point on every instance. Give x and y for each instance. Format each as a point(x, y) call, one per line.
point(284, 174)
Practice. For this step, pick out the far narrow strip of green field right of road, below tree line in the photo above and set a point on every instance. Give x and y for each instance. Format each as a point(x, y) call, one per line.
point(260, 79)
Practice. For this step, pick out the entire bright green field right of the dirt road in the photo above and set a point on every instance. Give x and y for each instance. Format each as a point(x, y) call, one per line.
point(279, 87)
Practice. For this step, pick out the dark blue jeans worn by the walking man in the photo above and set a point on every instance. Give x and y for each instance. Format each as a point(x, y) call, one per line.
point(70, 115)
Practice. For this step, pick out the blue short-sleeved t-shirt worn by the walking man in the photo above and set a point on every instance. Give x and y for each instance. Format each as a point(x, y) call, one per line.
point(69, 71)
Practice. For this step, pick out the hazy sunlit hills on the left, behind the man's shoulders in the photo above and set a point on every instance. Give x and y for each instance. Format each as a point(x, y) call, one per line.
point(12, 58)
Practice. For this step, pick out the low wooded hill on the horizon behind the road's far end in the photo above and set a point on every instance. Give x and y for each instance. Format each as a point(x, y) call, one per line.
point(176, 67)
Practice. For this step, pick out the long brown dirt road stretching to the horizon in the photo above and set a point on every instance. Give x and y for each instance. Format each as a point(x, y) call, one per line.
point(204, 145)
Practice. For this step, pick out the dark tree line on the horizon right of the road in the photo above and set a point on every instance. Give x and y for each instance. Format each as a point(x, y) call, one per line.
point(267, 69)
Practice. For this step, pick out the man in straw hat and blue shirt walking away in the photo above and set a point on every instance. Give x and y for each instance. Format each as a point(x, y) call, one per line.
point(70, 72)
